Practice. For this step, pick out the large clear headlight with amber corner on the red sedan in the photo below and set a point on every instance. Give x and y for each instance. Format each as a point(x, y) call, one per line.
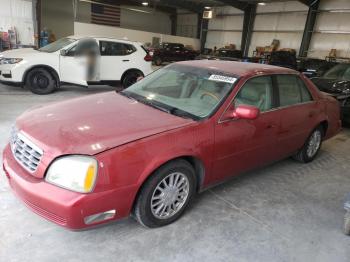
point(76, 173)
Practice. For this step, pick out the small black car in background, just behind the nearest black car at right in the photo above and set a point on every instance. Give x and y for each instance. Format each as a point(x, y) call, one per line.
point(313, 67)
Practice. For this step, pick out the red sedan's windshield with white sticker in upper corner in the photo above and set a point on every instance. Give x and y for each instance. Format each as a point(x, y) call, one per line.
point(183, 90)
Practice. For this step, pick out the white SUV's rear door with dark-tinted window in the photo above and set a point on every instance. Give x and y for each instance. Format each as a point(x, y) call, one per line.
point(116, 58)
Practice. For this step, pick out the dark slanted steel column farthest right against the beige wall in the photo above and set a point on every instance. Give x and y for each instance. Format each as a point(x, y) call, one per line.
point(309, 28)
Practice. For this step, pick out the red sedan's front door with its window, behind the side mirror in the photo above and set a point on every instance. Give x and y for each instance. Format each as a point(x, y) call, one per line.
point(242, 144)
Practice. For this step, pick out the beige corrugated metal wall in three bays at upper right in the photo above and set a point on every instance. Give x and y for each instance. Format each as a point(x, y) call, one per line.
point(285, 21)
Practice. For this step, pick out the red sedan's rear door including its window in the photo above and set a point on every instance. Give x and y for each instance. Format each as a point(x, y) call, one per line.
point(299, 111)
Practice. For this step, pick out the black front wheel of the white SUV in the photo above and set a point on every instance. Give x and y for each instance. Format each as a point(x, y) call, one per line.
point(40, 81)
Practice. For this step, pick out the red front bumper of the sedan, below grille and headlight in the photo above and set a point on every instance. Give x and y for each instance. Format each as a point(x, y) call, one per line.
point(63, 207)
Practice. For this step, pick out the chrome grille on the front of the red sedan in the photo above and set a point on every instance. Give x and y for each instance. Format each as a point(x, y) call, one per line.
point(25, 152)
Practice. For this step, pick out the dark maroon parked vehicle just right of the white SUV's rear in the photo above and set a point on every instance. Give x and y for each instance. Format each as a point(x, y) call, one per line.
point(168, 52)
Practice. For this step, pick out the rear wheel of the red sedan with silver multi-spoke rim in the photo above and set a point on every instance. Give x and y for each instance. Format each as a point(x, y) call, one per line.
point(311, 147)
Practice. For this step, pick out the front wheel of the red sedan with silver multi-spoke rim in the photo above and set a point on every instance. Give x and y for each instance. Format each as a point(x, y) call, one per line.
point(165, 195)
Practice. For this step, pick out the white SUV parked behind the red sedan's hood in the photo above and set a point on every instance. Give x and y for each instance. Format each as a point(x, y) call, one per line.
point(75, 60)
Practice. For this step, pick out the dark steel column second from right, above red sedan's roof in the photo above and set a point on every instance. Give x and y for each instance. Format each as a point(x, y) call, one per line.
point(248, 26)
